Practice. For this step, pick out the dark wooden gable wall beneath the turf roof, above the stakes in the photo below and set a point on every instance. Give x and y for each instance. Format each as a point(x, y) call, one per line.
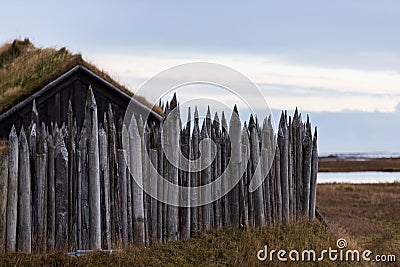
point(52, 101)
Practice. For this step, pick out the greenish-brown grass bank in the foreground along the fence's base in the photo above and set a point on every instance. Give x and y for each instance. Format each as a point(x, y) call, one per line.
point(227, 247)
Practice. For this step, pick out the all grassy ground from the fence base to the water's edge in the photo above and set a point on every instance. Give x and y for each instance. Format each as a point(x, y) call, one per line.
point(365, 215)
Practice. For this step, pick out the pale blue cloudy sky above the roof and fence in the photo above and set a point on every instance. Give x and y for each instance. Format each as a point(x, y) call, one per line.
point(337, 60)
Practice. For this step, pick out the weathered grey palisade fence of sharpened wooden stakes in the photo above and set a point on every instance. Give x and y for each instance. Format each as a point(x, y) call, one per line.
point(64, 188)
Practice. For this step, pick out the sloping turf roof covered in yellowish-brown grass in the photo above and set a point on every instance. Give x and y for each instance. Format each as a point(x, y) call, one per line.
point(25, 69)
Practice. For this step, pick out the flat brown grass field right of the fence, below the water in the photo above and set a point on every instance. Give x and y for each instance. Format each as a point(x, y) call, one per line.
point(369, 213)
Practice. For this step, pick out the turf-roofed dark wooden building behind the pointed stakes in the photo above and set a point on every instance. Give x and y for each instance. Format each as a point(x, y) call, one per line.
point(51, 78)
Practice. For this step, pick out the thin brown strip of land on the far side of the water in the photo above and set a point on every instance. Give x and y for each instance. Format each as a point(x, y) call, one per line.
point(338, 164)
